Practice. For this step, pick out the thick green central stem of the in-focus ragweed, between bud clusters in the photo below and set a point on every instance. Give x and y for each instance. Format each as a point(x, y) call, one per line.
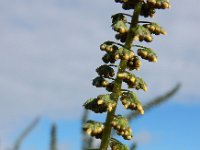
point(118, 82)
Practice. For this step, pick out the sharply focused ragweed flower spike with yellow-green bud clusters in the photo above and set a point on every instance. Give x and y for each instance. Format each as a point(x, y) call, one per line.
point(112, 79)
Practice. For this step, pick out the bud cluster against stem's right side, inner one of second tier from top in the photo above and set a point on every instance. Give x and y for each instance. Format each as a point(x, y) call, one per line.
point(142, 34)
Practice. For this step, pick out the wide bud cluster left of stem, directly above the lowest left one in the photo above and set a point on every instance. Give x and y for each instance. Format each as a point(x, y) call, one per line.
point(100, 104)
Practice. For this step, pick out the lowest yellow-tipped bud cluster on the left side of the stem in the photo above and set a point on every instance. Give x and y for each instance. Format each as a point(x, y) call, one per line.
point(94, 128)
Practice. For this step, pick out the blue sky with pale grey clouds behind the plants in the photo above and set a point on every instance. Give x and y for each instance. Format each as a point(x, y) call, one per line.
point(45, 71)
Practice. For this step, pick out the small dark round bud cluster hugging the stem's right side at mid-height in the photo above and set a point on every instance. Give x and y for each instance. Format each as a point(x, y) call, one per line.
point(135, 63)
